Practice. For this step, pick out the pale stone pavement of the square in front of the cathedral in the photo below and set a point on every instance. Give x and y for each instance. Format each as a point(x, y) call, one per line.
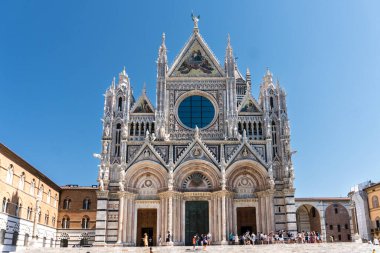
point(278, 248)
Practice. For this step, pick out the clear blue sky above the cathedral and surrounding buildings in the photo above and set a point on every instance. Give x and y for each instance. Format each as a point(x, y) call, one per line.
point(57, 58)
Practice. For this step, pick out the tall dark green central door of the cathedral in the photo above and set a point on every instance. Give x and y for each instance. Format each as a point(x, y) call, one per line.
point(196, 219)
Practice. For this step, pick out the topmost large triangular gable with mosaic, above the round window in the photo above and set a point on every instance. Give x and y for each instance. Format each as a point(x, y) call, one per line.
point(196, 60)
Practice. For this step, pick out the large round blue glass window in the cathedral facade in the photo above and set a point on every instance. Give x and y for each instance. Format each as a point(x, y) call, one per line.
point(196, 111)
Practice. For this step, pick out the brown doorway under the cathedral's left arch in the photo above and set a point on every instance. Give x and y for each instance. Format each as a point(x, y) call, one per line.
point(146, 223)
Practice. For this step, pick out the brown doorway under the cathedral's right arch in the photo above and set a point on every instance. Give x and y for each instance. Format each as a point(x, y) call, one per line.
point(246, 220)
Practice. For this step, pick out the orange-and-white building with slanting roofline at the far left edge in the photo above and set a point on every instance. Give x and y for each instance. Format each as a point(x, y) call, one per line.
point(29, 204)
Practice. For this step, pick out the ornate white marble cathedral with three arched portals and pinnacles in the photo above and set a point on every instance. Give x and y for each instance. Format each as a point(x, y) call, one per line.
point(209, 157)
